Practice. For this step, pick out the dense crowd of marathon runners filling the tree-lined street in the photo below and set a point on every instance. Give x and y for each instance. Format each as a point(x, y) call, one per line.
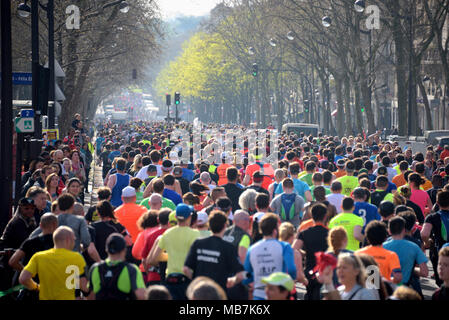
point(349, 218)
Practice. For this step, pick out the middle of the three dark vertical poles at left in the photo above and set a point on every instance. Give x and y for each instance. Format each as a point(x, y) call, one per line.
point(35, 65)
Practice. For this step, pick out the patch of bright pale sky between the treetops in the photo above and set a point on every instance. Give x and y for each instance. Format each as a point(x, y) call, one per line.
point(173, 8)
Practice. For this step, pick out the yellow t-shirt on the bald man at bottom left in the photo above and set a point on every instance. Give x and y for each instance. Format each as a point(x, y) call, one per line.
point(59, 271)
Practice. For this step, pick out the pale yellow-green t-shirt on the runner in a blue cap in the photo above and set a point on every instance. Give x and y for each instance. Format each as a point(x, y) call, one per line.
point(176, 242)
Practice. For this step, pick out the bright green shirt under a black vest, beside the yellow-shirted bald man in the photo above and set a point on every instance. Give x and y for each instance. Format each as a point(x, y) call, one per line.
point(124, 282)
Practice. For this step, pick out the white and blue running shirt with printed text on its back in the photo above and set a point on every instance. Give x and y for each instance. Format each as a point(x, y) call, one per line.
point(266, 257)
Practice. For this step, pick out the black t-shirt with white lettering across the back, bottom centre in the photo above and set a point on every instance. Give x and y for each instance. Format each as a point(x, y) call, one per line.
point(213, 257)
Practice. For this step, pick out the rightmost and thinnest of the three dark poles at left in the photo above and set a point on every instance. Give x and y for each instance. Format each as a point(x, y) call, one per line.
point(51, 63)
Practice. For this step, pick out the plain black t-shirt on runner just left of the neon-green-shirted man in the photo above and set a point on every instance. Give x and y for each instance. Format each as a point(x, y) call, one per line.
point(314, 240)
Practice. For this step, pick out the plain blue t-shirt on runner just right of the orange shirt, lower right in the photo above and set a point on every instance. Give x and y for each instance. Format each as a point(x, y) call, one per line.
point(409, 254)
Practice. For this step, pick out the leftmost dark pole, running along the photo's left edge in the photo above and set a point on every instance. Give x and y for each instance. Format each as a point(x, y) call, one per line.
point(6, 126)
